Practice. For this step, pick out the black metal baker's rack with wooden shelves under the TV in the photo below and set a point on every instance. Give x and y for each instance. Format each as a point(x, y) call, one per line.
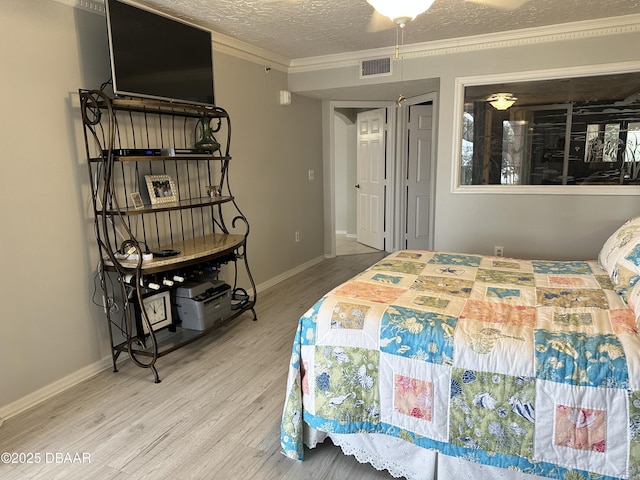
point(158, 138)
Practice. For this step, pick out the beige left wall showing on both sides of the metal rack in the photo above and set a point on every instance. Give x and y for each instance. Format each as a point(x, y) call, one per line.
point(51, 333)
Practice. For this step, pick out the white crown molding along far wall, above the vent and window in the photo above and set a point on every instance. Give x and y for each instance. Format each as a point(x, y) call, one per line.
point(514, 38)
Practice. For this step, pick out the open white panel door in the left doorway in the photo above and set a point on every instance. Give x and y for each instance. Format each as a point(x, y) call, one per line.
point(371, 178)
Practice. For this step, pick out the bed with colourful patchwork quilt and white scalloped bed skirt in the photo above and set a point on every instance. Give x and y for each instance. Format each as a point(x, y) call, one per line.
point(444, 365)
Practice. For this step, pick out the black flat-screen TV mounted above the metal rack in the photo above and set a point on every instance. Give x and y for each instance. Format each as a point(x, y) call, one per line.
point(157, 57)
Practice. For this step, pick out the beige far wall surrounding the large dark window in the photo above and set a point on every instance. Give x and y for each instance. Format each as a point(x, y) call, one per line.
point(564, 227)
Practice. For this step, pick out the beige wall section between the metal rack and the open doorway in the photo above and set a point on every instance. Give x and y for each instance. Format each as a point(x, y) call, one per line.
point(273, 148)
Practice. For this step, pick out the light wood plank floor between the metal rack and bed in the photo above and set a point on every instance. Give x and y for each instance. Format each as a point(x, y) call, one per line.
point(215, 415)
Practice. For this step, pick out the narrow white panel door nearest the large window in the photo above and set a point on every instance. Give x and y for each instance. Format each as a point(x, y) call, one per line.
point(418, 181)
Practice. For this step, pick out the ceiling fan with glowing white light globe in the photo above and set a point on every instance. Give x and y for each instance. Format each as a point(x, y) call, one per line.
point(400, 12)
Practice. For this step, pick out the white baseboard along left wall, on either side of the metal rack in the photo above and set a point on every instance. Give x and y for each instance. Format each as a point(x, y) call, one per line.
point(34, 398)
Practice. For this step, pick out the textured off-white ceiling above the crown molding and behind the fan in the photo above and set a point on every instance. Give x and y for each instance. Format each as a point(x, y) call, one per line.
point(296, 29)
